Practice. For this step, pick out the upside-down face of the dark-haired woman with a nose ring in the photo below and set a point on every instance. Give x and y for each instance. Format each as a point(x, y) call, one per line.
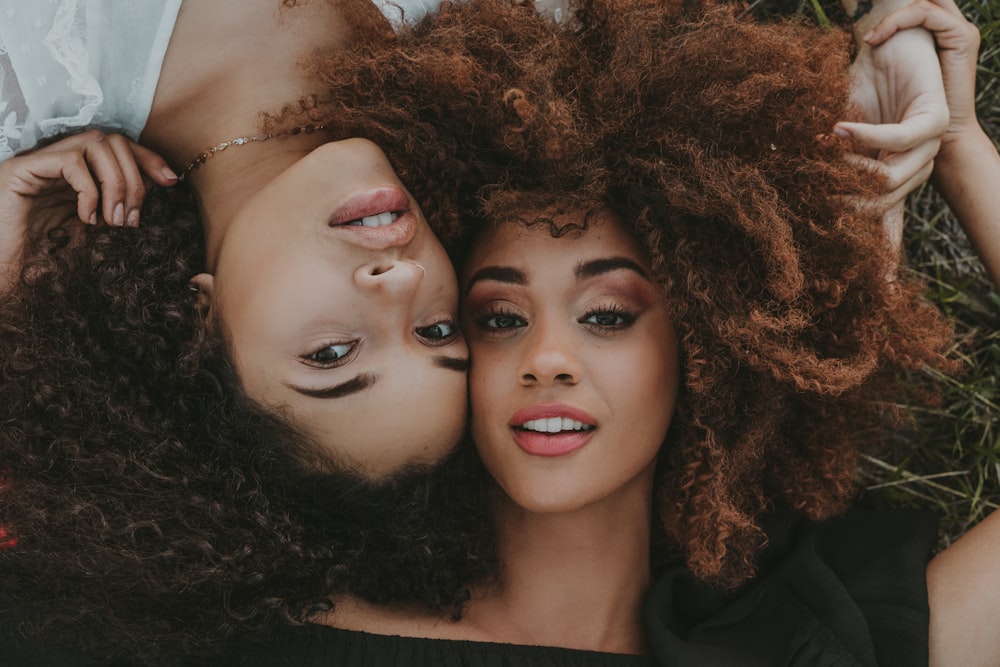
point(339, 306)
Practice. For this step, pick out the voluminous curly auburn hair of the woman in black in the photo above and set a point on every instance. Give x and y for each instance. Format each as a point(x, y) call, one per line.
point(708, 134)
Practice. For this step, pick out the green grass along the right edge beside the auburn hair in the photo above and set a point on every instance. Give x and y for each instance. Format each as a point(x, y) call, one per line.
point(949, 461)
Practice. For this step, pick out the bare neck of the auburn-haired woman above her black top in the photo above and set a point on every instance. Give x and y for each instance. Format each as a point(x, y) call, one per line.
point(571, 579)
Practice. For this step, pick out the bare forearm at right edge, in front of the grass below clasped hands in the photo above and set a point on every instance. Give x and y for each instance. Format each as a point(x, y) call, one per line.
point(967, 173)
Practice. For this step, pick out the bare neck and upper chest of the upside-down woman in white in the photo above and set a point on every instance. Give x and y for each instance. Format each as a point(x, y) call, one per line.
point(206, 96)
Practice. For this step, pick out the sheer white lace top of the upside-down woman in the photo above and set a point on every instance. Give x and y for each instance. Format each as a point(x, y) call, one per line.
point(72, 64)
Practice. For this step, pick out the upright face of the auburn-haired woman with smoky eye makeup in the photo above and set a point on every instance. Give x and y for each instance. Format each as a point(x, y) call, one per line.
point(574, 362)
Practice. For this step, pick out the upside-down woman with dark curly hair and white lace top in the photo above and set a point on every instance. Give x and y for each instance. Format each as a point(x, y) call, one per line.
point(139, 416)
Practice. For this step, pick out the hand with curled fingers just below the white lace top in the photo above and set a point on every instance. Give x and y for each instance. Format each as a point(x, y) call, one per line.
point(72, 178)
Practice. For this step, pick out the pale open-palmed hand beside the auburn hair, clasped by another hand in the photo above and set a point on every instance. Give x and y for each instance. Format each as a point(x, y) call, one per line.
point(898, 88)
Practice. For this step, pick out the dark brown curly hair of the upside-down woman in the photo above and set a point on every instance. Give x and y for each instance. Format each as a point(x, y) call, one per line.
point(153, 512)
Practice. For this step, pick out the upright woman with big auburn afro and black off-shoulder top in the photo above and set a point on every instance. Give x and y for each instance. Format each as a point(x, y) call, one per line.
point(688, 152)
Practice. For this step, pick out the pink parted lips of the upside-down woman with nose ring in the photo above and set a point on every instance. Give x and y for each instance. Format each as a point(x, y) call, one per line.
point(379, 200)
